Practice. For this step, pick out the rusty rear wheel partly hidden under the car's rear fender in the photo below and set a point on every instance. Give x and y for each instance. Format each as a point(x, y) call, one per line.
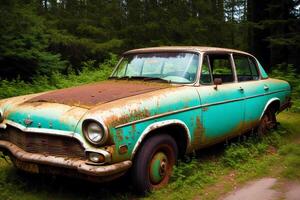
point(268, 122)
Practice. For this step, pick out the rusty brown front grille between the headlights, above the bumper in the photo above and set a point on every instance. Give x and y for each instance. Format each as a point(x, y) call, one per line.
point(45, 144)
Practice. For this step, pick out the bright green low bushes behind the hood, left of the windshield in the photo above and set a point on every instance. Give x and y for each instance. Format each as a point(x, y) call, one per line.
point(57, 80)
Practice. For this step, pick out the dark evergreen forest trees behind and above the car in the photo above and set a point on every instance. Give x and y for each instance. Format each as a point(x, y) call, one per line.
point(39, 37)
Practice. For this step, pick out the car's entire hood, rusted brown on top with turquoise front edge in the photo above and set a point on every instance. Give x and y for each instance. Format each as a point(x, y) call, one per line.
point(63, 109)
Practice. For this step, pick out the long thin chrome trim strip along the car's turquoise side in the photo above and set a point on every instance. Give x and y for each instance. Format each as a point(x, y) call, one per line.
point(195, 107)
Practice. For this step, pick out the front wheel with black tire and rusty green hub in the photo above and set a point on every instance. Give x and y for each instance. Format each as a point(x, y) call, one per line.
point(154, 163)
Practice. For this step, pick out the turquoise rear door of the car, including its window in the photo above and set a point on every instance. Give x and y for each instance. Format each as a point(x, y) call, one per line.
point(254, 88)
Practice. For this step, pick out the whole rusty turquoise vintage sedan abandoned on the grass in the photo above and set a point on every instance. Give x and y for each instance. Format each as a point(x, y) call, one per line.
point(158, 105)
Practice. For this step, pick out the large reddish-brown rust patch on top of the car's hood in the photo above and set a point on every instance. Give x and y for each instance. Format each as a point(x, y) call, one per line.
point(90, 95)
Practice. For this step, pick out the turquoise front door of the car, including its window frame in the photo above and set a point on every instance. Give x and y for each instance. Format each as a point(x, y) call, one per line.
point(222, 105)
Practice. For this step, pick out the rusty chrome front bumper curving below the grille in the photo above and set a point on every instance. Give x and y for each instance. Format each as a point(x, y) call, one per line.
point(64, 162)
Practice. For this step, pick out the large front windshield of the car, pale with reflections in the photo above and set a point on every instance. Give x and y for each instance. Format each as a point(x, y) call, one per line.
point(175, 67)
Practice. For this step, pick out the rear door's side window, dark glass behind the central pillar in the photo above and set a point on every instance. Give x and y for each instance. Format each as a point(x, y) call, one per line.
point(246, 69)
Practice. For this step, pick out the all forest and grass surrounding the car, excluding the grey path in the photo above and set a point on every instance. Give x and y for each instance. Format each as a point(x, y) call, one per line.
point(51, 44)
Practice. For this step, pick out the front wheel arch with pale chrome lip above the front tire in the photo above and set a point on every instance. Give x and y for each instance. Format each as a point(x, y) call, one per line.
point(177, 129)
